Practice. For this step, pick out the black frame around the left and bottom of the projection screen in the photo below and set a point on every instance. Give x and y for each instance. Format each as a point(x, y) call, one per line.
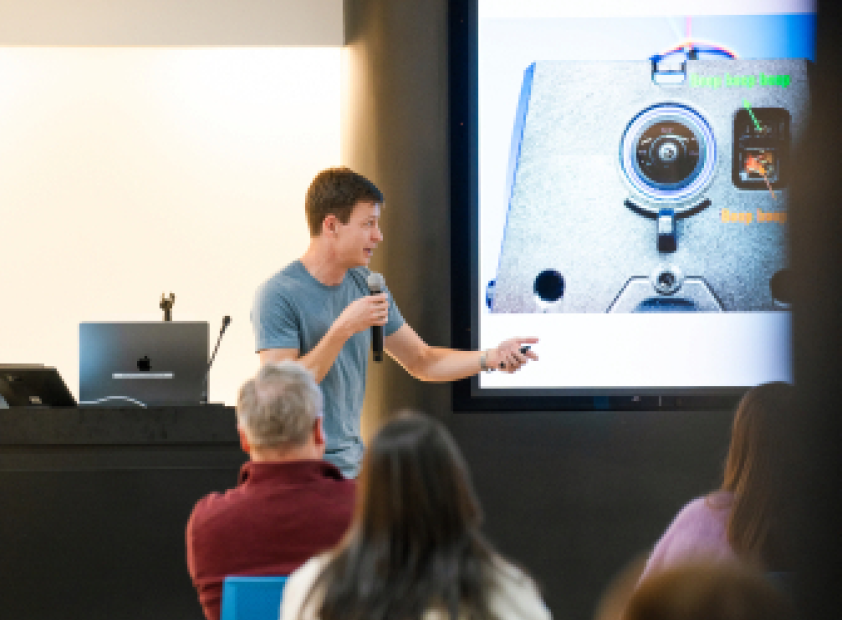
point(464, 194)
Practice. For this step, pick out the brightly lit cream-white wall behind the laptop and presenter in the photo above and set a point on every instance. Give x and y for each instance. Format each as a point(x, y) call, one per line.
point(129, 172)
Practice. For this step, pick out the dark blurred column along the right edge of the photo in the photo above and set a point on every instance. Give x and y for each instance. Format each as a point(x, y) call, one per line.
point(816, 231)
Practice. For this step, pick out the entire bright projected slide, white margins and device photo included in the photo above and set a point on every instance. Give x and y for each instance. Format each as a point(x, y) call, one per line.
point(634, 180)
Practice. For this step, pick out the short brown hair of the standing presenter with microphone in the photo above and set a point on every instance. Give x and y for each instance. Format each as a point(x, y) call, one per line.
point(335, 191)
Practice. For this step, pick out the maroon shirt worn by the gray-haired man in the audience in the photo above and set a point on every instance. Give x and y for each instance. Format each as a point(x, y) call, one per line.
point(276, 518)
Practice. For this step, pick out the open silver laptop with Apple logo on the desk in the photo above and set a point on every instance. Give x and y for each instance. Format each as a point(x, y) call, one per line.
point(158, 363)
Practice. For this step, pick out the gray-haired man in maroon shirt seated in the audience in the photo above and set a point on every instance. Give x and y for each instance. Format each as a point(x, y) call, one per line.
point(289, 503)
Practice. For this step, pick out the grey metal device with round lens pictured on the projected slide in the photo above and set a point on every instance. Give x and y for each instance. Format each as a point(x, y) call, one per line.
point(633, 193)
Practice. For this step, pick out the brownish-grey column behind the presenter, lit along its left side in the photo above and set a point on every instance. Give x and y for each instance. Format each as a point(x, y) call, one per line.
point(395, 132)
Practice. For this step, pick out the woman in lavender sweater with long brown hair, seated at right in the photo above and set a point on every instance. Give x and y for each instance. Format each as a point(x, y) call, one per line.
point(743, 520)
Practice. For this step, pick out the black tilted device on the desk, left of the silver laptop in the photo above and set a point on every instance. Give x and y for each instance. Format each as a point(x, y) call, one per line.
point(33, 385)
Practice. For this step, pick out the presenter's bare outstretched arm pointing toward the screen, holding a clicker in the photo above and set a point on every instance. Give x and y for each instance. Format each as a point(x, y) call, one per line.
point(442, 364)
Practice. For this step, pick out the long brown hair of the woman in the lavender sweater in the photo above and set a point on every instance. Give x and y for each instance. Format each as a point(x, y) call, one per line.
point(757, 470)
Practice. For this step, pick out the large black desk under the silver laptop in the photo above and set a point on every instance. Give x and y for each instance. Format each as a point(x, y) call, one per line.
point(95, 501)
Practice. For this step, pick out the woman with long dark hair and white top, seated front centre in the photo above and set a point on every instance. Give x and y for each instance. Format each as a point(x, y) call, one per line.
point(414, 549)
